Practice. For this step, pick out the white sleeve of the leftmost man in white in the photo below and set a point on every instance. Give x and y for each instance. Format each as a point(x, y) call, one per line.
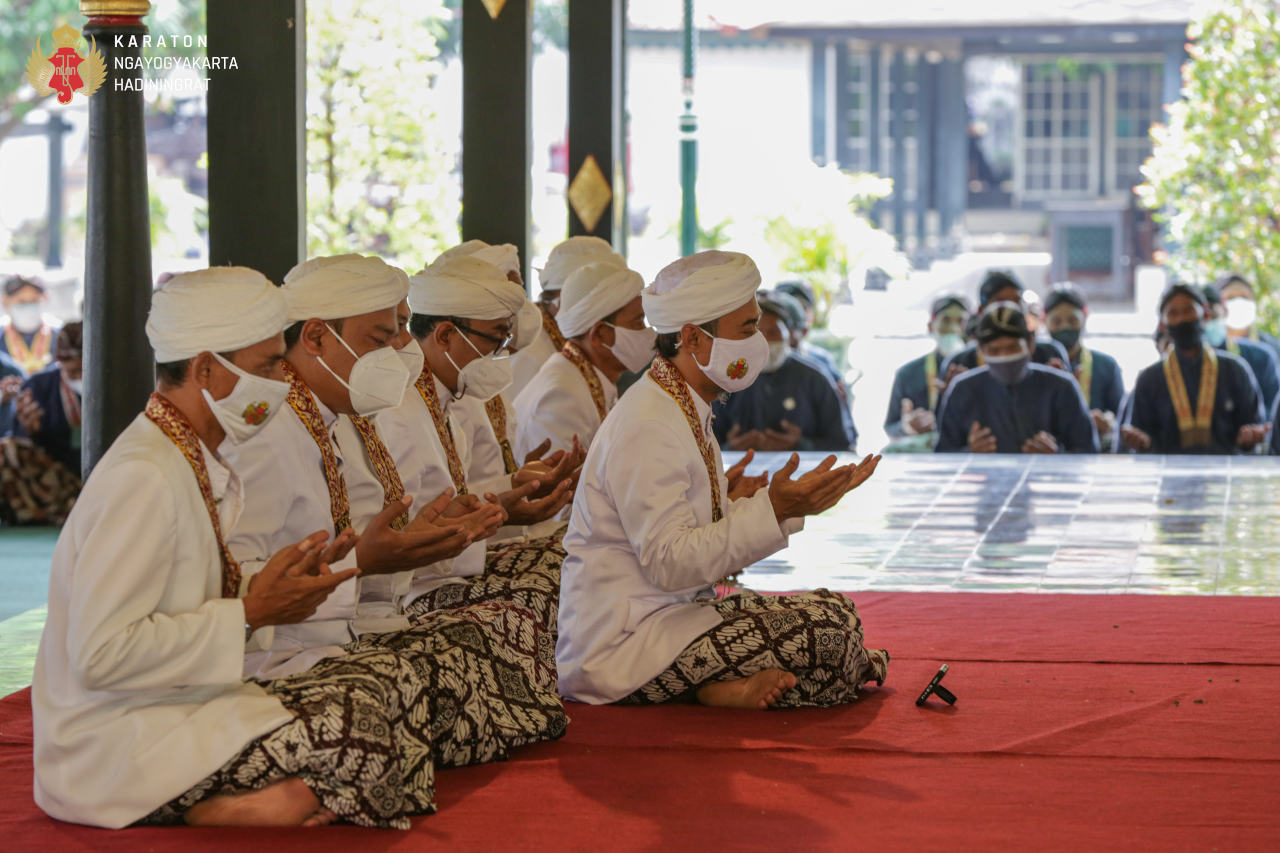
point(116, 637)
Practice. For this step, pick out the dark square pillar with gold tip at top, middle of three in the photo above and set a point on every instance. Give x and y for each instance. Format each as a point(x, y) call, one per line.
point(496, 122)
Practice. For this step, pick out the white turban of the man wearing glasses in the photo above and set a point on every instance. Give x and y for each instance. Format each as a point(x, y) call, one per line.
point(465, 288)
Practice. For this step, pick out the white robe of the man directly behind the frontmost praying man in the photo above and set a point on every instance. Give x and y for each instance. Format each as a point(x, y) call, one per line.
point(559, 405)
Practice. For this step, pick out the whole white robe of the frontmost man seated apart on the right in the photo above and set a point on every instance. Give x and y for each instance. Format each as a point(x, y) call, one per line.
point(643, 551)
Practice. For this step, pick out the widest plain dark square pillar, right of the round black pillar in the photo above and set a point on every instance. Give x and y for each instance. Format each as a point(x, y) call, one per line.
point(258, 136)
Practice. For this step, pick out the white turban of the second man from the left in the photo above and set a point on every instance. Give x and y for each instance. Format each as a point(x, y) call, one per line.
point(331, 289)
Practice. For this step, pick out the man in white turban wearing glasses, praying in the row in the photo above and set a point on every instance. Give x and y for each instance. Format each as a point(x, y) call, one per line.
point(464, 316)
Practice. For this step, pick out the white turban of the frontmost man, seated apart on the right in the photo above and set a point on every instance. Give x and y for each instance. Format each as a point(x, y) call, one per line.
point(700, 289)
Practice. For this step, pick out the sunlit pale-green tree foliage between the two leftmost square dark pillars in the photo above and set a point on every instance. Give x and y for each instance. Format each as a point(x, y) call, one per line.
point(378, 175)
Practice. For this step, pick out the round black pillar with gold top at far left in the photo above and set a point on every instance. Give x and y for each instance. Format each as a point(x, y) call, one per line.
point(118, 361)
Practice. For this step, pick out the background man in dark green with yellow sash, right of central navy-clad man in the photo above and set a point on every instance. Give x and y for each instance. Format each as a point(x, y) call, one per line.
point(1098, 373)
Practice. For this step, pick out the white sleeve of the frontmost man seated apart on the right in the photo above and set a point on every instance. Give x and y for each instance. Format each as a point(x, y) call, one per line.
point(675, 553)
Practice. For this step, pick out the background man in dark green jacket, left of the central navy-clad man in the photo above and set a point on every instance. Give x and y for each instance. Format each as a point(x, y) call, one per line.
point(915, 399)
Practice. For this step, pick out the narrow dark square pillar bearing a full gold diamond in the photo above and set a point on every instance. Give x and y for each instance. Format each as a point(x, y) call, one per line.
point(597, 120)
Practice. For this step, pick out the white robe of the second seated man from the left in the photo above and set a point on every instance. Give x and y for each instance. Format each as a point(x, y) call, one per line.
point(287, 500)
